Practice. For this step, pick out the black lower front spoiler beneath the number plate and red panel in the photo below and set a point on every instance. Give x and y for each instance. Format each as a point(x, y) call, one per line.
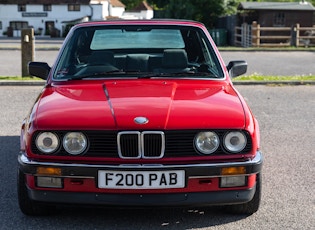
point(143, 200)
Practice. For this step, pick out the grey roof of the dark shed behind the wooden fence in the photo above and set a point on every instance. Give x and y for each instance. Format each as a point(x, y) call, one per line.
point(297, 6)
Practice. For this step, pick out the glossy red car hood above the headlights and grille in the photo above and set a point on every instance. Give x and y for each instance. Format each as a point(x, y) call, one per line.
point(115, 105)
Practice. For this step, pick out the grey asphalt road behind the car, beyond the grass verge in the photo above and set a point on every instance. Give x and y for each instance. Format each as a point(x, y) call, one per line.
point(270, 62)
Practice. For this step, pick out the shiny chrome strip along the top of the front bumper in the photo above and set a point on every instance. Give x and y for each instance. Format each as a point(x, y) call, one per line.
point(255, 161)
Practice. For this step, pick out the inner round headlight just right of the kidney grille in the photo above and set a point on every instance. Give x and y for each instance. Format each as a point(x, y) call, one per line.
point(207, 142)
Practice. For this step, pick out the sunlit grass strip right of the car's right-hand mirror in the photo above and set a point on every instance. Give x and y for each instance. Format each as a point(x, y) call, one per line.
point(255, 77)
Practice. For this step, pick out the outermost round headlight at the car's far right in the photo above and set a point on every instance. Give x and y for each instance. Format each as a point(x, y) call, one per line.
point(235, 141)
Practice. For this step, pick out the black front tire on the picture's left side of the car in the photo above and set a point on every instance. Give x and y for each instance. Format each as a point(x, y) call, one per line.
point(27, 206)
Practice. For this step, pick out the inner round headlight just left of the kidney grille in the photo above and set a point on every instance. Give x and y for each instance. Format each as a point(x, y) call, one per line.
point(75, 143)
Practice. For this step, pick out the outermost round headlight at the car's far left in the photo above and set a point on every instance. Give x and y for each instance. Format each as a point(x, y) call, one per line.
point(47, 142)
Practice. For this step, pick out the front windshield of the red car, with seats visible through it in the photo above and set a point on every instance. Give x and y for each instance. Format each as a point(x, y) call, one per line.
point(137, 51)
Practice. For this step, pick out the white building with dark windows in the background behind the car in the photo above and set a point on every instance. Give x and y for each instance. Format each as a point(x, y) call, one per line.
point(54, 18)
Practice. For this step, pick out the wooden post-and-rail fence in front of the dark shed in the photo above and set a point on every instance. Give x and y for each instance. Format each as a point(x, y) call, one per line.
point(256, 36)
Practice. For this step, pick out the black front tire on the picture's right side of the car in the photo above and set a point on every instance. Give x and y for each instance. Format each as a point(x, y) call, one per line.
point(250, 207)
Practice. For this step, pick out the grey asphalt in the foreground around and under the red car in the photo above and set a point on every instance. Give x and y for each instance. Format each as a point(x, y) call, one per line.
point(286, 118)
